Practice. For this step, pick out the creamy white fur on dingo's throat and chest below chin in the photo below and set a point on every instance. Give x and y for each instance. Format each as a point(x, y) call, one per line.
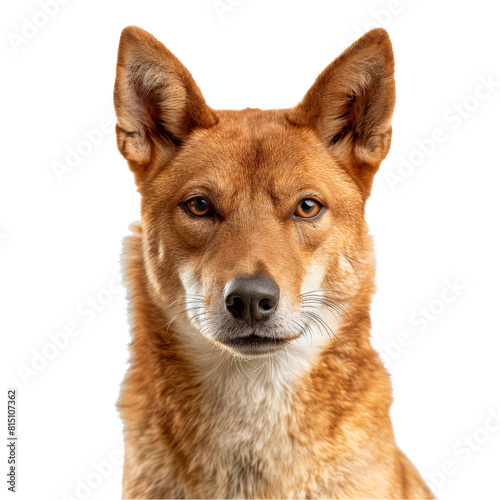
point(249, 416)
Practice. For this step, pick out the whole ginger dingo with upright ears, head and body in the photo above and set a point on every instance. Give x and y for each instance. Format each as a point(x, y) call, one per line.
point(250, 277)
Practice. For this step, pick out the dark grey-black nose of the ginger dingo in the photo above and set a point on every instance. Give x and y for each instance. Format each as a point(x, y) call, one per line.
point(252, 299)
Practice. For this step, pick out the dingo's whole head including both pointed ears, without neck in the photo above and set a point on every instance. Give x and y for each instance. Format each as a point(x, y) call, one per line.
point(252, 219)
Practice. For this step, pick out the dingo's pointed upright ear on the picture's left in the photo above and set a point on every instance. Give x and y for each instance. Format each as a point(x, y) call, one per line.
point(157, 102)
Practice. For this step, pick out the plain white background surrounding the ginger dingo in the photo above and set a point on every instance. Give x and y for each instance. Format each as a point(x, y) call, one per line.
point(61, 236)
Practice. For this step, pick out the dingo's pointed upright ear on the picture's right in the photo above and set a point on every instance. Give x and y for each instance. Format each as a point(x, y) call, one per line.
point(350, 106)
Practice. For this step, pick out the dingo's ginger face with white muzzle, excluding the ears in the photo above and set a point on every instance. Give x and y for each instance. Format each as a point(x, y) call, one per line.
point(256, 223)
